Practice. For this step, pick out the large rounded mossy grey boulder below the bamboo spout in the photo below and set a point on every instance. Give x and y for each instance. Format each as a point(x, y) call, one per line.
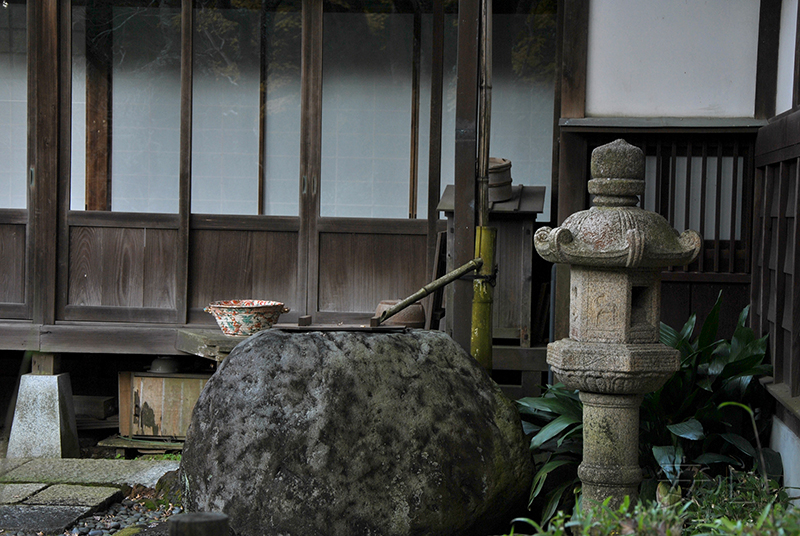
point(355, 434)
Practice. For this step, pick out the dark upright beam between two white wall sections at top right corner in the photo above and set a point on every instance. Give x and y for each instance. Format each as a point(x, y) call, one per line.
point(769, 24)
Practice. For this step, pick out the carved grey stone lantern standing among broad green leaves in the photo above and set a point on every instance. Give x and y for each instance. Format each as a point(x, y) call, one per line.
point(613, 356)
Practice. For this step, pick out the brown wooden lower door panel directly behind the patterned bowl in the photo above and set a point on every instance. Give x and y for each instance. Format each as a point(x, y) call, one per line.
point(228, 265)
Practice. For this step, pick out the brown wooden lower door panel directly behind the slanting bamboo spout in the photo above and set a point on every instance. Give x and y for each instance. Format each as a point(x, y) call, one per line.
point(359, 270)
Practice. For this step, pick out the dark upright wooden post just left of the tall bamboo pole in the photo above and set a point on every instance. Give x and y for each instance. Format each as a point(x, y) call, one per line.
point(465, 164)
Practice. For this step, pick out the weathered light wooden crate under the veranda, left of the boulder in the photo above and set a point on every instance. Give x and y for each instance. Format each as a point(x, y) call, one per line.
point(155, 405)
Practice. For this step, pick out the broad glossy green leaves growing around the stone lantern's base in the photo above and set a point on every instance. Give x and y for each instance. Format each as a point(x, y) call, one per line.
point(695, 422)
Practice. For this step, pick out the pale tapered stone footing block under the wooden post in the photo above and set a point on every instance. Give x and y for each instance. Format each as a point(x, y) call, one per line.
point(44, 419)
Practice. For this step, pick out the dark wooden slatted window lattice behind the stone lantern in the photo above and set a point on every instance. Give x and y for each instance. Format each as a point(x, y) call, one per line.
point(702, 181)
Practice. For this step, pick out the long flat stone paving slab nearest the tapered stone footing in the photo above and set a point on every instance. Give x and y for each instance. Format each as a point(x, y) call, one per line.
point(91, 472)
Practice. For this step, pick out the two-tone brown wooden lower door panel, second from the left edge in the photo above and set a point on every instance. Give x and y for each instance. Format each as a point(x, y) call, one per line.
point(122, 267)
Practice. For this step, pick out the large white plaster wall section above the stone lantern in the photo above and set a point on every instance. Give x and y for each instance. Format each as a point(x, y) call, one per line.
point(672, 58)
